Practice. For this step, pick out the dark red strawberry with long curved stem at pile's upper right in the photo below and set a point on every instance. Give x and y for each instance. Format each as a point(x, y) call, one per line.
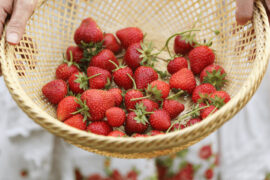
point(181, 46)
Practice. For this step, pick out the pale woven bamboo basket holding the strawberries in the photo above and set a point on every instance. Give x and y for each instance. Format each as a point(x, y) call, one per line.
point(242, 50)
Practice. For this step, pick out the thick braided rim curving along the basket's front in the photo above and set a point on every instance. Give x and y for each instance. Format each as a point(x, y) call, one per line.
point(82, 138)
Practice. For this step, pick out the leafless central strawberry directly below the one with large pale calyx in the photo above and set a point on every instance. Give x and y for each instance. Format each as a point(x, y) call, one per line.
point(144, 76)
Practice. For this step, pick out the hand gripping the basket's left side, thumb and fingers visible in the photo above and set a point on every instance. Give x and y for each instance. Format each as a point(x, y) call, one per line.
point(20, 11)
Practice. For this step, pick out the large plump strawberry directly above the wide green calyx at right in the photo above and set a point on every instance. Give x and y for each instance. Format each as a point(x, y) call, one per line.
point(200, 57)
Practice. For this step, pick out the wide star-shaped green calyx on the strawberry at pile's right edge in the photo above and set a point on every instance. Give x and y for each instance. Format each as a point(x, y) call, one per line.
point(216, 78)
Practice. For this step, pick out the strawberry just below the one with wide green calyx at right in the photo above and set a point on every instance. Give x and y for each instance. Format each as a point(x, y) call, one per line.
point(202, 92)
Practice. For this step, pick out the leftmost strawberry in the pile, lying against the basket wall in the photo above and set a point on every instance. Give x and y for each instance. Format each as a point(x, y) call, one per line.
point(55, 91)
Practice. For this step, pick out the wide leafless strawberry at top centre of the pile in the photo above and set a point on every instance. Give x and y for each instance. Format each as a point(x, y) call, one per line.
point(129, 36)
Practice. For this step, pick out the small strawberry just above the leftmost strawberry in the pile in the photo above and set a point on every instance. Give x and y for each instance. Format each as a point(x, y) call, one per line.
point(64, 71)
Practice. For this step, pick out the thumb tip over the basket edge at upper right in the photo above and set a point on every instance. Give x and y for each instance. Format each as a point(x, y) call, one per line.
point(244, 11)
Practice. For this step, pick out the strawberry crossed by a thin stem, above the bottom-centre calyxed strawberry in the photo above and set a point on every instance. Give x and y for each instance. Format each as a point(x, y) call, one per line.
point(132, 94)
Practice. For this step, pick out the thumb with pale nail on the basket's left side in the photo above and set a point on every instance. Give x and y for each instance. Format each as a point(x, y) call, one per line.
point(23, 9)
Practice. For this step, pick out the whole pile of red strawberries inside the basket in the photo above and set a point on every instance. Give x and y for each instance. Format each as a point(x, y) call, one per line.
point(98, 92)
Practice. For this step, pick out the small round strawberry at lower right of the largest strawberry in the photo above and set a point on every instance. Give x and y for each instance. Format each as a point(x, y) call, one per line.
point(115, 116)
